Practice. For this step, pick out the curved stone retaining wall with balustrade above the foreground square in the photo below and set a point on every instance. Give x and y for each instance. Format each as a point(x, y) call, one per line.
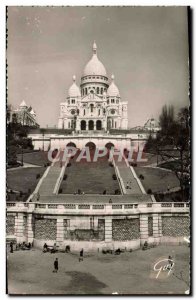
point(88, 227)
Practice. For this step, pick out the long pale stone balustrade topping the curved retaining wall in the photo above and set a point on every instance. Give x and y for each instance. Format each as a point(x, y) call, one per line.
point(99, 208)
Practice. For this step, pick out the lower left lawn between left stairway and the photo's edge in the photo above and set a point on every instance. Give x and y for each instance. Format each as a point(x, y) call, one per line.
point(23, 179)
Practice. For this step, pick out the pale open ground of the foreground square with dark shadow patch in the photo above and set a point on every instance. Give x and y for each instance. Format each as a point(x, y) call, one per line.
point(30, 272)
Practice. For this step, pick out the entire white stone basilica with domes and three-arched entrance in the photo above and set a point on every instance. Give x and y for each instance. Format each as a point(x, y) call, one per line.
point(96, 105)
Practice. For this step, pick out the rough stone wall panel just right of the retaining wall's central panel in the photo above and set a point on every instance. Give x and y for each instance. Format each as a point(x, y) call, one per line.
point(123, 229)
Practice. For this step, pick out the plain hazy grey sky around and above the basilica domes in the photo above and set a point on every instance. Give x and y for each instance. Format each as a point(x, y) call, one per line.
point(146, 48)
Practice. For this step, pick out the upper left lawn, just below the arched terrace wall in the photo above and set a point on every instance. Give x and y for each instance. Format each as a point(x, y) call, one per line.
point(39, 158)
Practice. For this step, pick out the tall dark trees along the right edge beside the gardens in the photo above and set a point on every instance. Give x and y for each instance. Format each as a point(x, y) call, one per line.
point(173, 143)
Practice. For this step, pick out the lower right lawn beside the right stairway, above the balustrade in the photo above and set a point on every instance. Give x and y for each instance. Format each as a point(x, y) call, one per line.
point(157, 179)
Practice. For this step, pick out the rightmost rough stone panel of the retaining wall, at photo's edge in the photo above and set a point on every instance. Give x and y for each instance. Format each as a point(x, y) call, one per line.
point(175, 226)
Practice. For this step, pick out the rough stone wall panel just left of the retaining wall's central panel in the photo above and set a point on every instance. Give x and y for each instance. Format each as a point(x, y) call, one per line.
point(45, 229)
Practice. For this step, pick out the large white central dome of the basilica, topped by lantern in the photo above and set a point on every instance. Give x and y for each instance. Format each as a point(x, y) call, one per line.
point(94, 66)
